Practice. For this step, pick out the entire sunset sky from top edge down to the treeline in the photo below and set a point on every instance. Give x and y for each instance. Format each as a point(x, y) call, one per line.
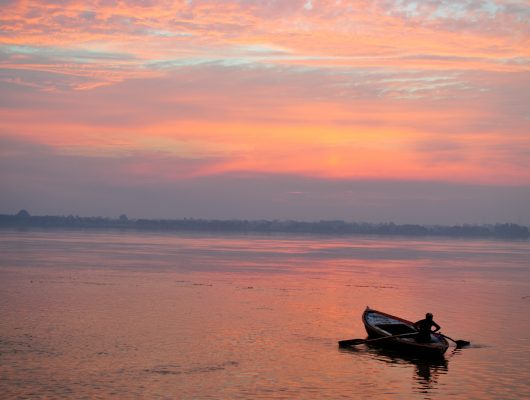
point(368, 110)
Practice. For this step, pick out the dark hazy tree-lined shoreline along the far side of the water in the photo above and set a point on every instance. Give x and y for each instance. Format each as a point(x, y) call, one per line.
point(502, 230)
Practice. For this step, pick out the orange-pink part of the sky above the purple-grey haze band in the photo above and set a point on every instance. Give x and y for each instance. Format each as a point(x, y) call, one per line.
point(330, 89)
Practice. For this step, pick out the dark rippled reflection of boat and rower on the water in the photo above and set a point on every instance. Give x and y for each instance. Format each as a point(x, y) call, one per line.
point(427, 371)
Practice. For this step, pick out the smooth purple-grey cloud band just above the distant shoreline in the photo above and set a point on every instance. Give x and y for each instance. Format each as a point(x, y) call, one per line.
point(47, 182)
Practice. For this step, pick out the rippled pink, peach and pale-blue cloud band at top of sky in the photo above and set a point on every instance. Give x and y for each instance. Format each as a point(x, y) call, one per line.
point(82, 43)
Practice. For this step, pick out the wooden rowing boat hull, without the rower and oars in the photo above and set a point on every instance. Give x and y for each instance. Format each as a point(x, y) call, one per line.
point(379, 325)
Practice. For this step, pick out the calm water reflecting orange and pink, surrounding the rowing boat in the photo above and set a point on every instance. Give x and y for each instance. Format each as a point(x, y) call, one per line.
point(146, 315)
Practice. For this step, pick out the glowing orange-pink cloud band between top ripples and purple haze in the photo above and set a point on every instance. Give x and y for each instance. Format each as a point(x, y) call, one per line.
point(366, 124)
